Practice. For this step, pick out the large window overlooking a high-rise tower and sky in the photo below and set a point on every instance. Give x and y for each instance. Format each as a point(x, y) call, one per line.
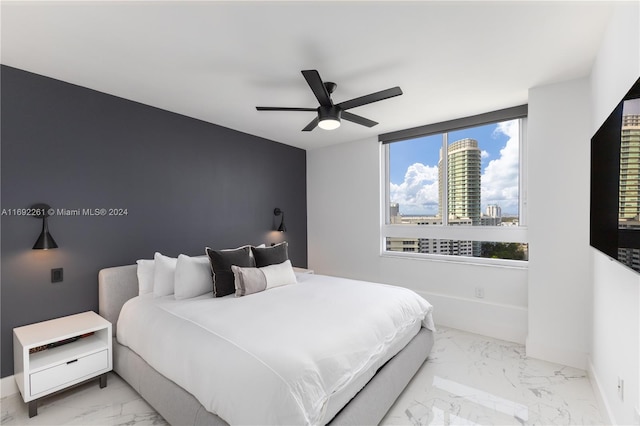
point(456, 189)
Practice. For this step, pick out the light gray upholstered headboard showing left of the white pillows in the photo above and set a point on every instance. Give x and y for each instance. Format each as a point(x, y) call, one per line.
point(115, 286)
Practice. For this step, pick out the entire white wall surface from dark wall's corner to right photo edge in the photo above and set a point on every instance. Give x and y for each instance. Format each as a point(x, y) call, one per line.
point(571, 301)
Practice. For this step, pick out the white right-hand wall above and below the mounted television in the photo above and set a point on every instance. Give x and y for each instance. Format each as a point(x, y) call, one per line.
point(616, 303)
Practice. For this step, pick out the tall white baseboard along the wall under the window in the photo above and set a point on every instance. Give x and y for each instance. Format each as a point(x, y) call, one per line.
point(504, 322)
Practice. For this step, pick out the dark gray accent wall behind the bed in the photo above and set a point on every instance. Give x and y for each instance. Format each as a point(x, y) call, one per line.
point(184, 183)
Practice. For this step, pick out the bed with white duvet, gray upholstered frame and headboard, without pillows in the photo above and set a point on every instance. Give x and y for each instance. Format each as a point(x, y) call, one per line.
point(269, 387)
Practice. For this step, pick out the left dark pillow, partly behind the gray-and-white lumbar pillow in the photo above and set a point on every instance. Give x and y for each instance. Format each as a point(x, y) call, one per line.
point(221, 262)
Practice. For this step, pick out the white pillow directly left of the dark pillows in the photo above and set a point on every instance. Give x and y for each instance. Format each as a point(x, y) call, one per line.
point(193, 277)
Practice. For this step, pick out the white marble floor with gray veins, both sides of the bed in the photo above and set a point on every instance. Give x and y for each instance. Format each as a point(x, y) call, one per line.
point(468, 380)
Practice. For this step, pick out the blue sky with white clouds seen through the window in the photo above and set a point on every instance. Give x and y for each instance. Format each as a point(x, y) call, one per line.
point(413, 169)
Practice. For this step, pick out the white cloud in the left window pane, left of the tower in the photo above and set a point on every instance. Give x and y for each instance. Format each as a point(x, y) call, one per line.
point(418, 194)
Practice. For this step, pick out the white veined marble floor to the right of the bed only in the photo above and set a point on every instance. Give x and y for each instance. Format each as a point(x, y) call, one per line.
point(476, 380)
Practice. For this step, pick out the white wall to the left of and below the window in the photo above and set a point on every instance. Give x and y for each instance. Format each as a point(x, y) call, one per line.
point(343, 189)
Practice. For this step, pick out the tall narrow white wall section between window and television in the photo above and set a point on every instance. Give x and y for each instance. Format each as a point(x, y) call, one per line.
point(560, 289)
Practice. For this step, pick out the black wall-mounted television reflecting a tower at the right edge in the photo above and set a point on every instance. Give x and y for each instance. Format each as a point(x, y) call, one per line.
point(615, 183)
